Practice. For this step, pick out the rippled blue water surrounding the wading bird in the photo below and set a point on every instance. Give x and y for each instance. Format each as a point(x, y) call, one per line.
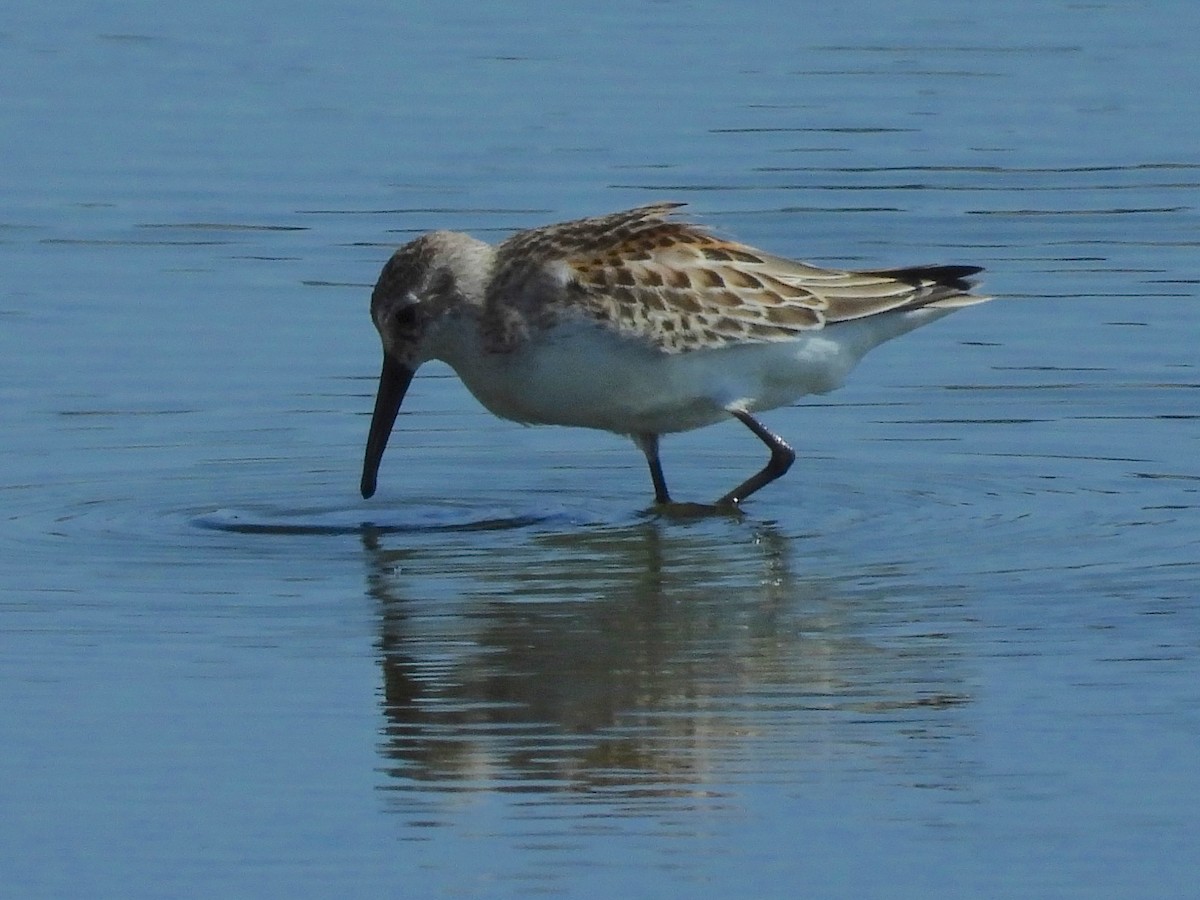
point(953, 653)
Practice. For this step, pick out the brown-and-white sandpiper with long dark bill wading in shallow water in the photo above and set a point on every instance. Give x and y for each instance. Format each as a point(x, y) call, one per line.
point(640, 325)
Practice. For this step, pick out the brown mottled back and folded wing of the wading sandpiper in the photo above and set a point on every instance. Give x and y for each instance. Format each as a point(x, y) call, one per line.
point(681, 289)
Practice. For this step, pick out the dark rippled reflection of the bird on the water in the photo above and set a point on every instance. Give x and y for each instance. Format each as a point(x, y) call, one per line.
point(623, 661)
